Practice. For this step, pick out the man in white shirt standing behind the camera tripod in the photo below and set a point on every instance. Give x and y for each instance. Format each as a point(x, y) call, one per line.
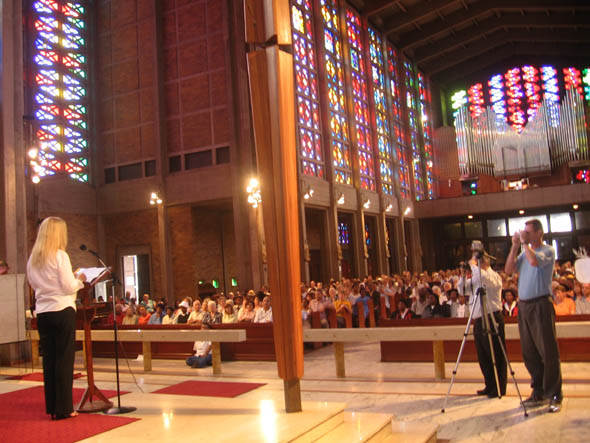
point(492, 283)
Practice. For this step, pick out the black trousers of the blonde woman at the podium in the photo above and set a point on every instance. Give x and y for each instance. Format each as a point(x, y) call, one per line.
point(57, 334)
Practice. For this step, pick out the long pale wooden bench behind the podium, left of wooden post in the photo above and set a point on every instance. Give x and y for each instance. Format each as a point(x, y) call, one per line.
point(146, 337)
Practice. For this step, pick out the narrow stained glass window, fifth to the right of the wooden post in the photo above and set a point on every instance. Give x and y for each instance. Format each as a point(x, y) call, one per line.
point(402, 173)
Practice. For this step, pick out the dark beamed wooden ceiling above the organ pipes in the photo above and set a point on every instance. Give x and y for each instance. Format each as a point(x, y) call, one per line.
point(453, 41)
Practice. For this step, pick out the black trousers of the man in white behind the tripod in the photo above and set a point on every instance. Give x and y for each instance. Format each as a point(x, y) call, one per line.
point(484, 356)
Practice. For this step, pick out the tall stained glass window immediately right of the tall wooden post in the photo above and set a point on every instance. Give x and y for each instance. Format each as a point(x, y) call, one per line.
point(306, 89)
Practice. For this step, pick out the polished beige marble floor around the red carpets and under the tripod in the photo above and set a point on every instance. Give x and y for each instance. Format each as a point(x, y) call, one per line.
point(408, 391)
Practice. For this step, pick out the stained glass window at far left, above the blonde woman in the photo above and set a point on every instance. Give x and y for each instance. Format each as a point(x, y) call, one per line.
point(60, 80)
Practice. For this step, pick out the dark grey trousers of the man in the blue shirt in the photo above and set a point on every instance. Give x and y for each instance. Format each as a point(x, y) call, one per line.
point(536, 325)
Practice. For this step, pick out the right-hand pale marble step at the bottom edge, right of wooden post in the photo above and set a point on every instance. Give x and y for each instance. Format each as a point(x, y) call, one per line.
point(359, 427)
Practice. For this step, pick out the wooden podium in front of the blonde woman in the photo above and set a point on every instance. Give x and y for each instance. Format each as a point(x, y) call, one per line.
point(93, 400)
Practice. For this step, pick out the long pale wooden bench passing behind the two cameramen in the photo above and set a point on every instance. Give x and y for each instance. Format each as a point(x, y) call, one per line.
point(437, 335)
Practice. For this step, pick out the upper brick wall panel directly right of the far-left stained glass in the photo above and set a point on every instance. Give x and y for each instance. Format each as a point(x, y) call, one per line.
point(126, 73)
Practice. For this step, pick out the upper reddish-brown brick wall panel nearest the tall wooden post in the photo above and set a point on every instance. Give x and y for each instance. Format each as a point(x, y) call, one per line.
point(195, 42)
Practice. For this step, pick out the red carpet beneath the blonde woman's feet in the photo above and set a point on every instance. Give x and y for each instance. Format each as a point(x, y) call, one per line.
point(23, 419)
